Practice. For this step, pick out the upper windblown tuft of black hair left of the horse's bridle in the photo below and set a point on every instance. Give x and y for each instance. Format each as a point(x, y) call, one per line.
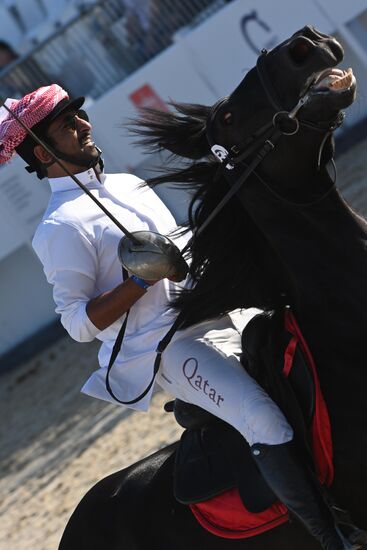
point(182, 132)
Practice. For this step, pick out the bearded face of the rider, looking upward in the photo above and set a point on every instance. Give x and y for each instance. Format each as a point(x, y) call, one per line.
point(71, 134)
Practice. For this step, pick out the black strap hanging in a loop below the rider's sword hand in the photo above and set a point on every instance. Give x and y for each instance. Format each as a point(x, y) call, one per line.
point(160, 349)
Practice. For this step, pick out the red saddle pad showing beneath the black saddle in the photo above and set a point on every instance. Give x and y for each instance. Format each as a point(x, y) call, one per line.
point(225, 515)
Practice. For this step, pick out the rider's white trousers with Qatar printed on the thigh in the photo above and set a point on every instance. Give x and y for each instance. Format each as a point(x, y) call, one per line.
point(201, 366)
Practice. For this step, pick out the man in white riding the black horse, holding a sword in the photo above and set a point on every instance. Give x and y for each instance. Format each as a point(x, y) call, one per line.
point(77, 245)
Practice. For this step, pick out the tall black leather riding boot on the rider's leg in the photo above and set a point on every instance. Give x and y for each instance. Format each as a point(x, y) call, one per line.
point(296, 488)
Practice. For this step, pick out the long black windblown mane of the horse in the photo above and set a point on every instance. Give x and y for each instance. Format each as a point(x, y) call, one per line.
point(221, 257)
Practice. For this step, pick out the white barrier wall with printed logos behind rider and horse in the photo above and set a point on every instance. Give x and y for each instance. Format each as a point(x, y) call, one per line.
point(201, 66)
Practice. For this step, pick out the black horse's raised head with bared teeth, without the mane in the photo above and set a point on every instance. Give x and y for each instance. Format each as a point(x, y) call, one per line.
point(302, 68)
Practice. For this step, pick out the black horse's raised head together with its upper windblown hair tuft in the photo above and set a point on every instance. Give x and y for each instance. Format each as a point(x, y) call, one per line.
point(298, 75)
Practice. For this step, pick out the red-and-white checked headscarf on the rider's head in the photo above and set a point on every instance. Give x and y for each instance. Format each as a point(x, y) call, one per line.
point(31, 109)
